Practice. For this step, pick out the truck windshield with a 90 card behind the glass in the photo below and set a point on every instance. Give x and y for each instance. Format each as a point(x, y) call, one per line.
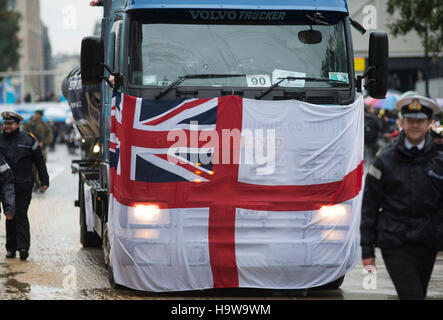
point(161, 53)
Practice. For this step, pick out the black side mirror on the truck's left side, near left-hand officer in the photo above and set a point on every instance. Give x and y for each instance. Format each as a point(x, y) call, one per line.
point(91, 60)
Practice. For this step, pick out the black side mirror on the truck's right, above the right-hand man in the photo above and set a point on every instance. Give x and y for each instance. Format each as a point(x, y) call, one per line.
point(377, 83)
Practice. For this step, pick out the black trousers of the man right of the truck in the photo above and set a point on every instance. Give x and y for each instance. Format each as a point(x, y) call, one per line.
point(410, 268)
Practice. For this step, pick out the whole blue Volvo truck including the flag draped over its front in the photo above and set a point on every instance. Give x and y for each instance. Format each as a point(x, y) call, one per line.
point(159, 67)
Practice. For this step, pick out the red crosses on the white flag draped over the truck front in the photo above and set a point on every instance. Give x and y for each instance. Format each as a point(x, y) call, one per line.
point(222, 193)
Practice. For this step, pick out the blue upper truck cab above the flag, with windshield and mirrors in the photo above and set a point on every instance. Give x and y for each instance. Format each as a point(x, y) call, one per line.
point(266, 50)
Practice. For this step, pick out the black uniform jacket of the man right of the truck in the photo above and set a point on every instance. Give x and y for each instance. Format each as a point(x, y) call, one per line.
point(403, 199)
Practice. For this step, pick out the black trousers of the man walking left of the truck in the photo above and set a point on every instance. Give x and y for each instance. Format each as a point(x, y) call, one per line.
point(17, 230)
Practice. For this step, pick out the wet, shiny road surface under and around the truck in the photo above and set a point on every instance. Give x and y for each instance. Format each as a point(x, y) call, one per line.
point(59, 268)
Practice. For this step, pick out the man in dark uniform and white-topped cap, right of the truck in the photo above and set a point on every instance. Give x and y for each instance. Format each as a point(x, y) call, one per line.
point(403, 194)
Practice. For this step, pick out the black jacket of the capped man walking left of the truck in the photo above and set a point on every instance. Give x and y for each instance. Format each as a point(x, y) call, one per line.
point(21, 150)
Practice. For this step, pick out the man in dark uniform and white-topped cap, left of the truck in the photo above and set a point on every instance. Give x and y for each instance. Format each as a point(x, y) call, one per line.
point(21, 151)
